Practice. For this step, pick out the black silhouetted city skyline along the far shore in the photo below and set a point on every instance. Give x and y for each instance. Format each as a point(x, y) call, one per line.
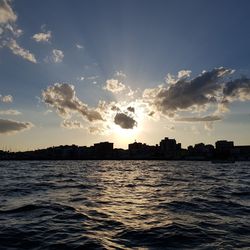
point(168, 149)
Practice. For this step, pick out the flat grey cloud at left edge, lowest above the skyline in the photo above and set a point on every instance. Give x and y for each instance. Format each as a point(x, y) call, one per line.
point(11, 126)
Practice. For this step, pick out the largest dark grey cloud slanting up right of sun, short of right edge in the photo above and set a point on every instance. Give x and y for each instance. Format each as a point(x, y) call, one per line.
point(185, 94)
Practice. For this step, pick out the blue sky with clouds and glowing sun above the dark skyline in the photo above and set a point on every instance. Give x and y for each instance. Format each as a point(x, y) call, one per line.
point(85, 71)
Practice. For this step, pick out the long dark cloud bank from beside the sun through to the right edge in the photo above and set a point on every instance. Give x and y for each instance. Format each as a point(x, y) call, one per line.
point(209, 89)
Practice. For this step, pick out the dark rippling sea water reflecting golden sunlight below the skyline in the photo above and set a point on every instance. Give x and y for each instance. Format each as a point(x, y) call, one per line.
point(124, 205)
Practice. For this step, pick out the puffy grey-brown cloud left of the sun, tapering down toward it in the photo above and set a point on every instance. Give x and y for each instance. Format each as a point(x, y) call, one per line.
point(62, 97)
